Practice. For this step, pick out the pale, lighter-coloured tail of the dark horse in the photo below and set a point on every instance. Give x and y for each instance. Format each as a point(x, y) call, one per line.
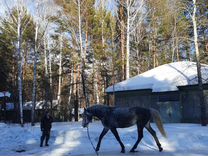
point(156, 116)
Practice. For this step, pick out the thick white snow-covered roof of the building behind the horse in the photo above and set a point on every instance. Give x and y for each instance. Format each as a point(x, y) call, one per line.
point(164, 78)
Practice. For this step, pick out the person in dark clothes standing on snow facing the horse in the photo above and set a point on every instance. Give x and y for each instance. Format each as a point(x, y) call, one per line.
point(45, 126)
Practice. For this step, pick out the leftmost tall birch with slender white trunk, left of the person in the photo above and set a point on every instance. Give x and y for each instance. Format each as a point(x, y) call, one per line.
point(18, 24)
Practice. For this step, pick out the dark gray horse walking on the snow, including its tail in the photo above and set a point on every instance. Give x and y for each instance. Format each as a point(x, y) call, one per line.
point(116, 117)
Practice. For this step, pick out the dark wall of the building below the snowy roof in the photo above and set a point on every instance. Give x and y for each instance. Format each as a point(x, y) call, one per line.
point(178, 106)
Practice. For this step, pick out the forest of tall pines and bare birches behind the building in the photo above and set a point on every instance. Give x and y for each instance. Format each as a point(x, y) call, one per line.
point(70, 51)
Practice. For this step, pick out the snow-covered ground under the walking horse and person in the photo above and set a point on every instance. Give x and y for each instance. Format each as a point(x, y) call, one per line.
point(70, 139)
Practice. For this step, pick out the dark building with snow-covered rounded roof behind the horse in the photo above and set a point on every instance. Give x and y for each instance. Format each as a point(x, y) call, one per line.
point(171, 88)
